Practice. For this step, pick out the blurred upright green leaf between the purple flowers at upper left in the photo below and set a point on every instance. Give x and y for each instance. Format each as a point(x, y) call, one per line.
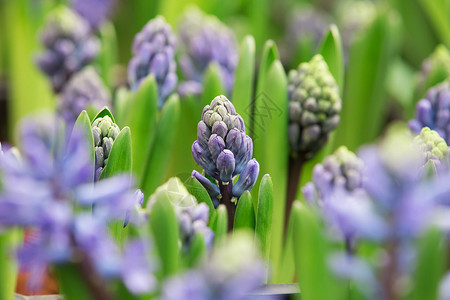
point(108, 52)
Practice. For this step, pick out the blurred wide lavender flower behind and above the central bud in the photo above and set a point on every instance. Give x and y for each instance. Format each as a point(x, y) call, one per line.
point(205, 40)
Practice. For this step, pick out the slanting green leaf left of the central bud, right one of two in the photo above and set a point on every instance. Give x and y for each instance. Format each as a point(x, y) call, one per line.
point(162, 145)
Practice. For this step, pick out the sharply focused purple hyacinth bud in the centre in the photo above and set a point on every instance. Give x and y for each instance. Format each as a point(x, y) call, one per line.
point(223, 149)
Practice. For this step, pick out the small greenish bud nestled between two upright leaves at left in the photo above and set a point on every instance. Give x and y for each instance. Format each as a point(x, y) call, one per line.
point(105, 132)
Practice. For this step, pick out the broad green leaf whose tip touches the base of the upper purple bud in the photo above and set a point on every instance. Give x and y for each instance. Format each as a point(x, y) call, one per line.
point(141, 118)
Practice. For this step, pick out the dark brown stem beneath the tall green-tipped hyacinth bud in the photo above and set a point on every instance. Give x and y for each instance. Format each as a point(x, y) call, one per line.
point(295, 169)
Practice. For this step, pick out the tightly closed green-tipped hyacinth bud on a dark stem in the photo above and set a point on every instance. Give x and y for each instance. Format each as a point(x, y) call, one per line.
point(314, 107)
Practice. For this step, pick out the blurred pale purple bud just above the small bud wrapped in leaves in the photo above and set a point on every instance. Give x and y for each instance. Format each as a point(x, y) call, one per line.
point(85, 89)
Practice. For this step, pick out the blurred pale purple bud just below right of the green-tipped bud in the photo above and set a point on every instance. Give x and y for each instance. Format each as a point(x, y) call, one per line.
point(342, 170)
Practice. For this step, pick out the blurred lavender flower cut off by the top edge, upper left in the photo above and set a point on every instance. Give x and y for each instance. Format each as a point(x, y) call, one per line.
point(95, 12)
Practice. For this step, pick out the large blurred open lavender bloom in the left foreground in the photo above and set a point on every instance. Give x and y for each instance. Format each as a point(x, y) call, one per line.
point(41, 191)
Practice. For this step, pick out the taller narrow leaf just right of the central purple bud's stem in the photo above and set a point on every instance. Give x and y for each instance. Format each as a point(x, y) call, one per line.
point(263, 227)
